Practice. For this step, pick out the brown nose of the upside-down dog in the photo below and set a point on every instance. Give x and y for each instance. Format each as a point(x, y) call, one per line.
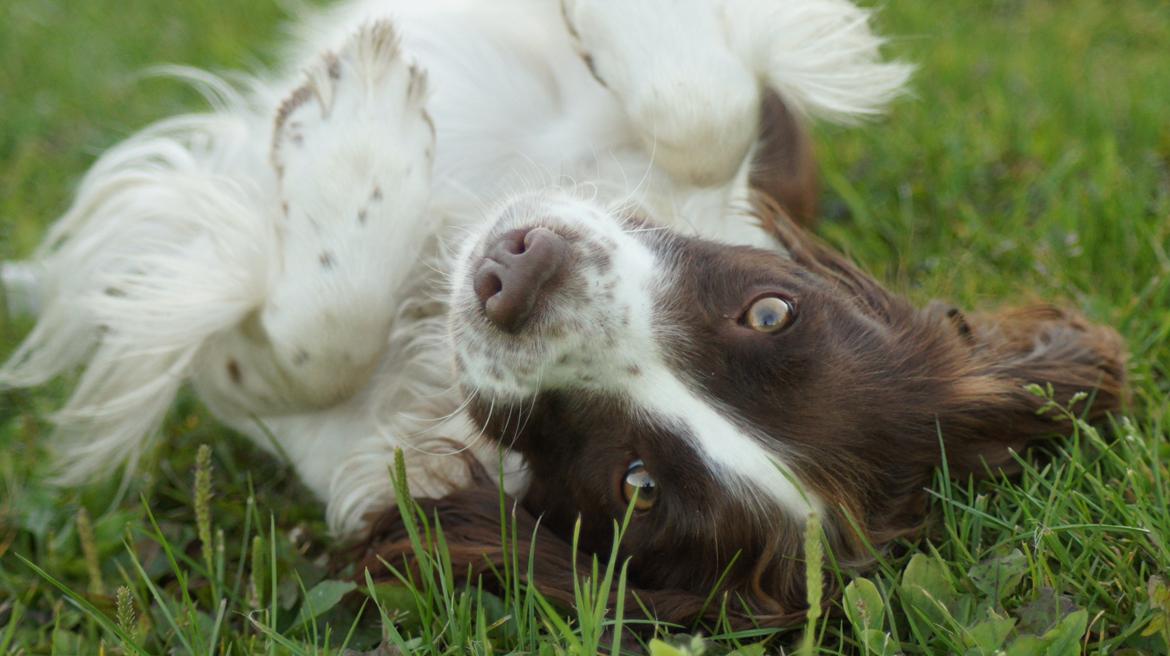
point(515, 272)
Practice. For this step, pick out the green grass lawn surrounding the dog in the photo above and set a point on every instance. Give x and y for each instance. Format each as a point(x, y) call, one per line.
point(1033, 163)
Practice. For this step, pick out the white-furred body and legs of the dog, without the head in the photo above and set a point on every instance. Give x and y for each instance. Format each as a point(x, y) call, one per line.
point(199, 241)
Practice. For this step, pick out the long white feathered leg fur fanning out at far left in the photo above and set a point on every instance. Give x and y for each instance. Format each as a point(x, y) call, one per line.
point(160, 251)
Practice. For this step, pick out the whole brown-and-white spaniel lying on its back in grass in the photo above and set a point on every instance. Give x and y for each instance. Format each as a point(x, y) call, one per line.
point(565, 230)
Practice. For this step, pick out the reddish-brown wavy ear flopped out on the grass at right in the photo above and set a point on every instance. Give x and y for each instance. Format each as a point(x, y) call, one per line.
point(992, 408)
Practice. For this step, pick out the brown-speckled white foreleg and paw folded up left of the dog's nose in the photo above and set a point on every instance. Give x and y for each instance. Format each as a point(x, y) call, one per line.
point(354, 149)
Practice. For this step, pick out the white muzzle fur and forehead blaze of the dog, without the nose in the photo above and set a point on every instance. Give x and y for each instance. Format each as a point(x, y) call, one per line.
point(611, 342)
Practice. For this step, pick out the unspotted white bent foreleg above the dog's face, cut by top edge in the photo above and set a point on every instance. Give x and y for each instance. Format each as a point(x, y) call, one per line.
point(694, 101)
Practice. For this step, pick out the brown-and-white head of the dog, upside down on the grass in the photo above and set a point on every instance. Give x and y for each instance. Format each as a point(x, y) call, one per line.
point(729, 392)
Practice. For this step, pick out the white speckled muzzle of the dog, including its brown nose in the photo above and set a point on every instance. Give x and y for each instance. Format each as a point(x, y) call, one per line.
point(556, 293)
